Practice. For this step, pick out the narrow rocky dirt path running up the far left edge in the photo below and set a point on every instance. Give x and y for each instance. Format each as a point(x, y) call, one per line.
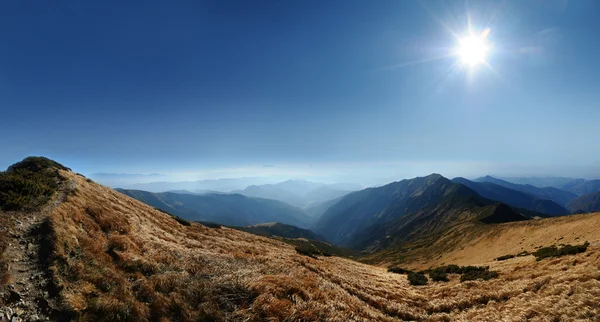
point(27, 296)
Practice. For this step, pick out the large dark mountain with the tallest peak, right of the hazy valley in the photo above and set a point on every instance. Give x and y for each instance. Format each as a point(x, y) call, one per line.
point(376, 217)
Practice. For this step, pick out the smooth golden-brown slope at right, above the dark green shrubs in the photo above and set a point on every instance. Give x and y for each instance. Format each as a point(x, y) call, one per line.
point(473, 243)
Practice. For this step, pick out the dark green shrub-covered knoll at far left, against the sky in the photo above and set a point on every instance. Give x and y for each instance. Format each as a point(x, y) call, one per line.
point(29, 184)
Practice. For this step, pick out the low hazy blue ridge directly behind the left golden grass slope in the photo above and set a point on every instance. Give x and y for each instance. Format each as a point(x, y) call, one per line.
point(226, 209)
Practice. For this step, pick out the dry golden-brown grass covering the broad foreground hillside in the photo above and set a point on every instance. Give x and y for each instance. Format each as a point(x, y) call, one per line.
point(118, 259)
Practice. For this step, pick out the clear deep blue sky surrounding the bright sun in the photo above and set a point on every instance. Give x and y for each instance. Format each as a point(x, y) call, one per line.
point(301, 87)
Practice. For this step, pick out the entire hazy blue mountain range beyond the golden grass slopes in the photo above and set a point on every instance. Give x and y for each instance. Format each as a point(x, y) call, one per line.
point(371, 219)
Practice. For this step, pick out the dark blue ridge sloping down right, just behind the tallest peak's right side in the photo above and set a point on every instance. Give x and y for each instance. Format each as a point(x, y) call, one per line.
point(514, 198)
